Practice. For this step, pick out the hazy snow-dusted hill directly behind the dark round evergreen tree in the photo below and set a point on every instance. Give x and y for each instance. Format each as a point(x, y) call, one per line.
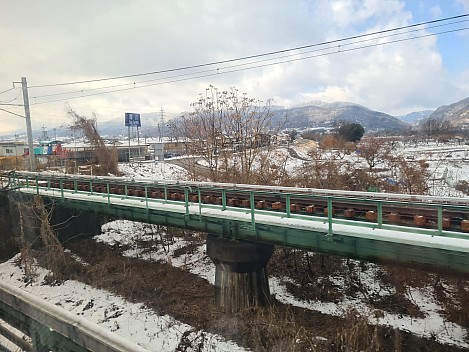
point(320, 114)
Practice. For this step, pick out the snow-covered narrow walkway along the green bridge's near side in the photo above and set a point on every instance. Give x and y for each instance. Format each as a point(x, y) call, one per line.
point(358, 229)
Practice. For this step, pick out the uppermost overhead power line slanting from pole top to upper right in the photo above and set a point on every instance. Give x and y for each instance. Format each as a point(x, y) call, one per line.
point(254, 56)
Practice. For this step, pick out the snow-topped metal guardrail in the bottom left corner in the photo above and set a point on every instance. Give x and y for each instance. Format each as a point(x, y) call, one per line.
point(28, 323)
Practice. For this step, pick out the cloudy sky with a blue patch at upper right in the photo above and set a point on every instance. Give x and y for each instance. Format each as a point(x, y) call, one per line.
point(55, 42)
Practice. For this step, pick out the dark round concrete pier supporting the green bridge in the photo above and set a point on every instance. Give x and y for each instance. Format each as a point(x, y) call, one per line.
point(241, 279)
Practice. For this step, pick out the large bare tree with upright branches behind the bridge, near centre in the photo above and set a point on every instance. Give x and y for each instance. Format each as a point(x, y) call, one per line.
point(231, 133)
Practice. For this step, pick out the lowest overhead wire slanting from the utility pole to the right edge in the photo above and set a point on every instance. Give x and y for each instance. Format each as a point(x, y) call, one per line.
point(337, 49)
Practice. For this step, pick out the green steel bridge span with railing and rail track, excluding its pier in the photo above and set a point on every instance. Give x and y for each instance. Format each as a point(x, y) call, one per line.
point(425, 231)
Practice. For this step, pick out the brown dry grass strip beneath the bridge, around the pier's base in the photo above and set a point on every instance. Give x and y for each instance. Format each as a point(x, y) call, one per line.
point(188, 298)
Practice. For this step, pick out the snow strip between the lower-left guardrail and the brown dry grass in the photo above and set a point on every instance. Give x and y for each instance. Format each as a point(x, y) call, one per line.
point(132, 321)
